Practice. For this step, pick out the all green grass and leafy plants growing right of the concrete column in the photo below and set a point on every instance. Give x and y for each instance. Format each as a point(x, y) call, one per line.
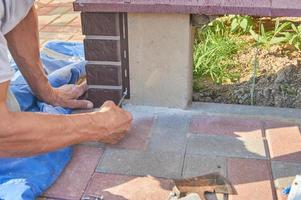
point(219, 42)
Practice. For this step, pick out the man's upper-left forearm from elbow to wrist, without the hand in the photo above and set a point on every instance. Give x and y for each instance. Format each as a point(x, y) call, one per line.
point(23, 42)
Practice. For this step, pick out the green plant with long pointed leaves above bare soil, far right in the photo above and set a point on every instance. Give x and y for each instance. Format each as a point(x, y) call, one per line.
point(269, 38)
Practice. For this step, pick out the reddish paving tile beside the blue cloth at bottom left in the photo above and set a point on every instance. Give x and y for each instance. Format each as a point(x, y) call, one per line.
point(76, 176)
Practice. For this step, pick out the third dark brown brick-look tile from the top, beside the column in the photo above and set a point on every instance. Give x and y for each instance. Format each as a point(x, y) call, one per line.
point(103, 75)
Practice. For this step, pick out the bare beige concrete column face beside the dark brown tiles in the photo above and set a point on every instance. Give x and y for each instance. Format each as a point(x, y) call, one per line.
point(160, 48)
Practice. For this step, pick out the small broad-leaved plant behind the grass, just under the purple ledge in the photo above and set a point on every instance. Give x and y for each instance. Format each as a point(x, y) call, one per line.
point(241, 24)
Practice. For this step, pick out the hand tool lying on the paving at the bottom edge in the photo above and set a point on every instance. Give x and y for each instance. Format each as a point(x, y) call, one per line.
point(210, 183)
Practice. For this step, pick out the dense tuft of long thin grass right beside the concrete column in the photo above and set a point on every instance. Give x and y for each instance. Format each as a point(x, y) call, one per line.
point(213, 55)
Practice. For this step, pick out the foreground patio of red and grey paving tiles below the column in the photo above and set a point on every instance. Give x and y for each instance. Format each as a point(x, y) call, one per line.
point(259, 157)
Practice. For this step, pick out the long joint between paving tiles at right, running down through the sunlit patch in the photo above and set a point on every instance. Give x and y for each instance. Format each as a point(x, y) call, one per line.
point(274, 192)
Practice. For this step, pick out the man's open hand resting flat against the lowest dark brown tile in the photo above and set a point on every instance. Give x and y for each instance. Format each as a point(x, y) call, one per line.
point(67, 95)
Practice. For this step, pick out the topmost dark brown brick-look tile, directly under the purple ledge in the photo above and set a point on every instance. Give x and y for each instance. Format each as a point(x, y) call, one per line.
point(105, 24)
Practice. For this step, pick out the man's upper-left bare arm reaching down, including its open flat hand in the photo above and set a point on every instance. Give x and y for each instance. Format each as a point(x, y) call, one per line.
point(23, 43)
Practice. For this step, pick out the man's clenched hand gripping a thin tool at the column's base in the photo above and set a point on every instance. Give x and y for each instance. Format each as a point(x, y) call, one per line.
point(117, 122)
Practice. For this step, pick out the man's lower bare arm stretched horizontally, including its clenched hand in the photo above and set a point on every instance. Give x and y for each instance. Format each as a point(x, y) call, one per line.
point(25, 134)
